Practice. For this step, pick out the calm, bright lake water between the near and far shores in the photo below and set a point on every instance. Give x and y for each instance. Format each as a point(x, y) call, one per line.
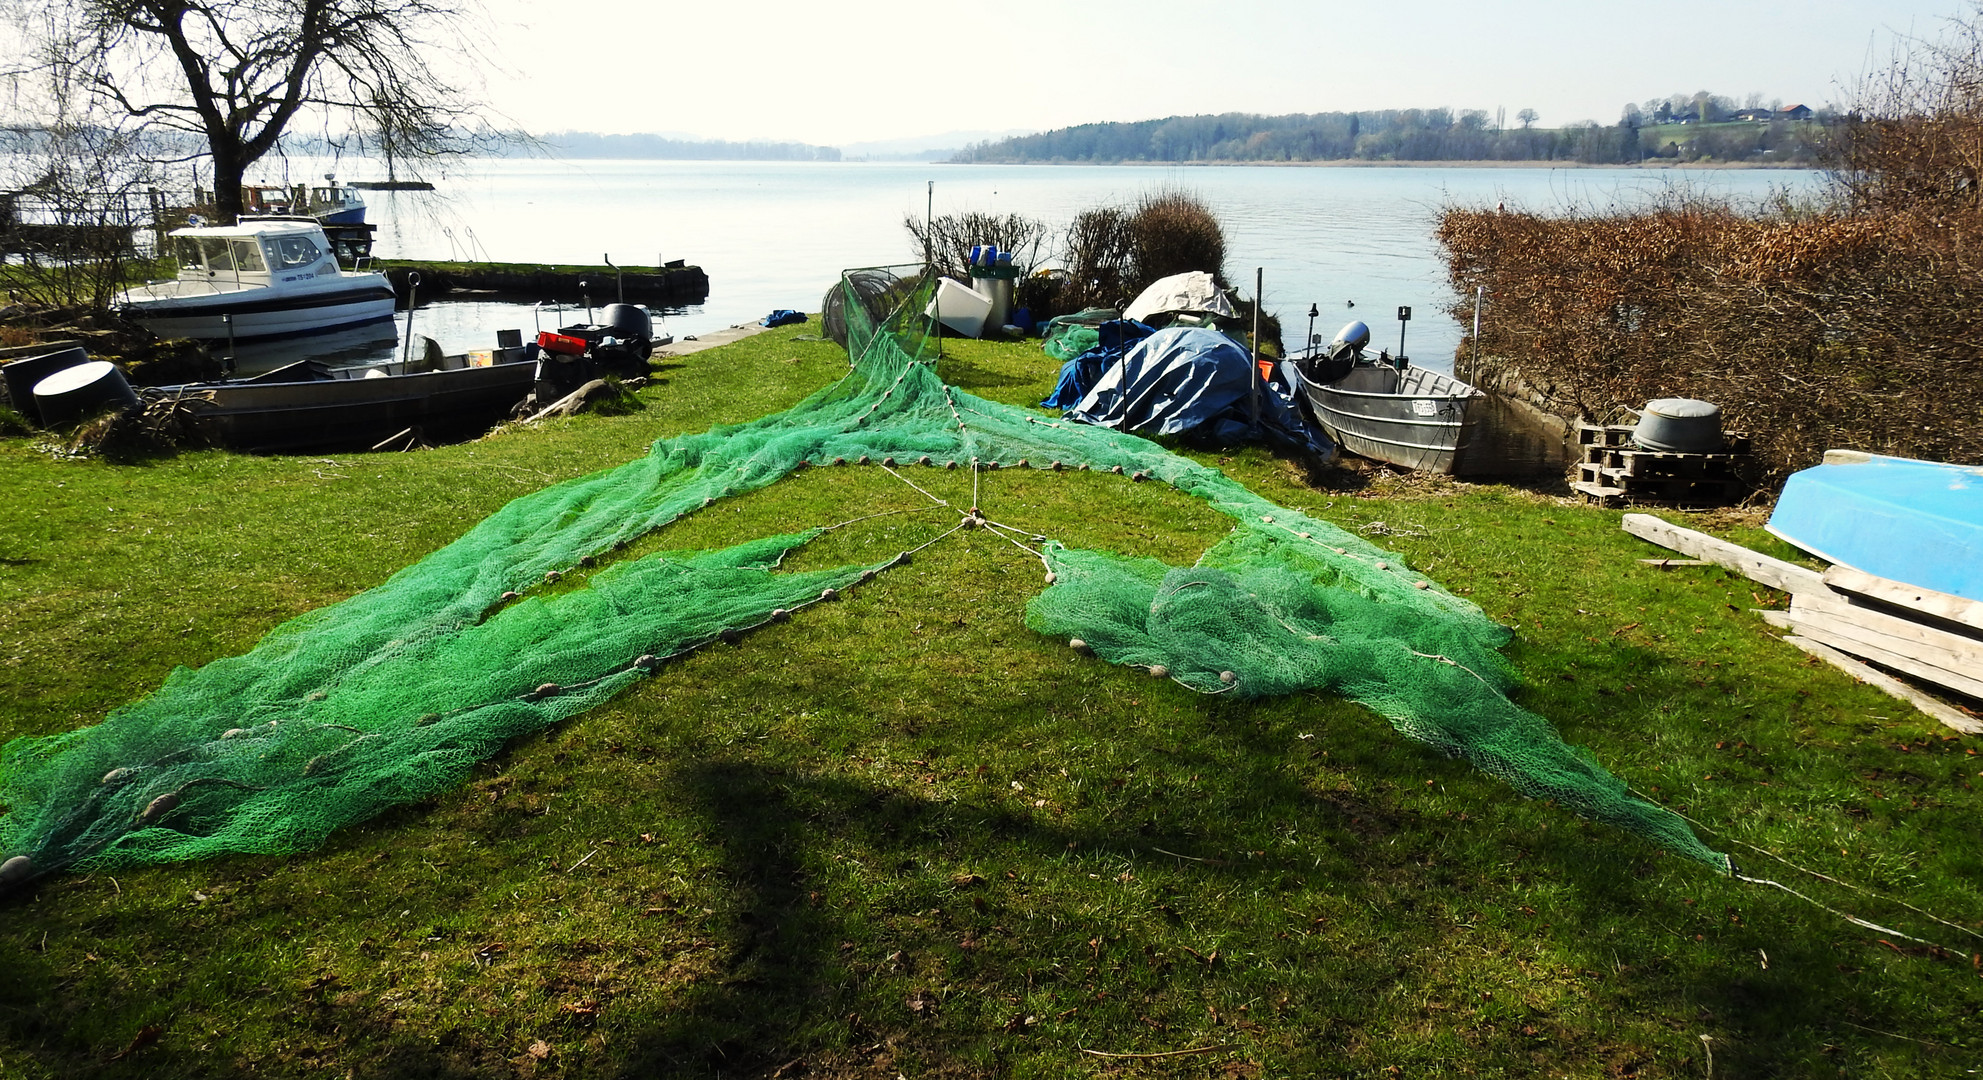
point(776, 235)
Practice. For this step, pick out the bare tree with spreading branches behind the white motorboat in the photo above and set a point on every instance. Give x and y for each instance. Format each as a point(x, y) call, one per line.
point(237, 74)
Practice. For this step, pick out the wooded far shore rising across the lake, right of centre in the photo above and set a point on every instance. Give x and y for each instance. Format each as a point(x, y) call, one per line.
point(1403, 136)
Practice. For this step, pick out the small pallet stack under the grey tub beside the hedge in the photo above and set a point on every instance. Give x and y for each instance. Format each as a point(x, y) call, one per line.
point(1615, 471)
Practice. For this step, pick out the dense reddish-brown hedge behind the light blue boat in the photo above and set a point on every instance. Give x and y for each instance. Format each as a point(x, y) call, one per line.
point(1851, 326)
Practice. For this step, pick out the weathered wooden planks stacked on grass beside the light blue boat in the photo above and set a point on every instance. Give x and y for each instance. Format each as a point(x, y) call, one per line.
point(1853, 619)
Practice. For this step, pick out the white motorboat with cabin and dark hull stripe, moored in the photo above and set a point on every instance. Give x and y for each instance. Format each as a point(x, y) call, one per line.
point(257, 280)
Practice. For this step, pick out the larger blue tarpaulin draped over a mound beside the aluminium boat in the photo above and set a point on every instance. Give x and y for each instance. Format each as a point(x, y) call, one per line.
point(1195, 381)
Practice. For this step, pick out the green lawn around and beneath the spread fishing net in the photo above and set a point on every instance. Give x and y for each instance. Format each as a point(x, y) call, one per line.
point(903, 835)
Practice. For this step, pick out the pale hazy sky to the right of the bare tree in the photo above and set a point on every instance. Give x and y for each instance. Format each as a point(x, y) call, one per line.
point(864, 70)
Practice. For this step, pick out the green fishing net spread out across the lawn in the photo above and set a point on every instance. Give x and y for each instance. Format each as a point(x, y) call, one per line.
point(398, 693)
